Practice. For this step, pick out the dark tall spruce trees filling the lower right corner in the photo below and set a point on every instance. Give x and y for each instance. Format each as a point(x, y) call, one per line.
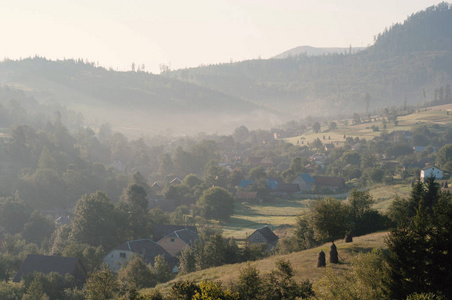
point(420, 251)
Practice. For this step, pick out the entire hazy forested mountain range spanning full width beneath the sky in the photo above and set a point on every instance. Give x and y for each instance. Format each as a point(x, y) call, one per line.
point(407, 64)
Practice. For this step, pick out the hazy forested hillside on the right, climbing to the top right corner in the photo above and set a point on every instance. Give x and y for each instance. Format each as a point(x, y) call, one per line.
point(408, 62)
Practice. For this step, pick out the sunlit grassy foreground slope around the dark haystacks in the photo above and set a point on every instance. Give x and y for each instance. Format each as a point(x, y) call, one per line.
point(303, 262)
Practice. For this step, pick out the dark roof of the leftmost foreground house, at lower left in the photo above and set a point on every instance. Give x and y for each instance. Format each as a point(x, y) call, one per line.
point(47, 264)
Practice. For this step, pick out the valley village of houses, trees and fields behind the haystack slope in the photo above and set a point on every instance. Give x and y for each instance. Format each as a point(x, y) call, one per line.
point(197, 214)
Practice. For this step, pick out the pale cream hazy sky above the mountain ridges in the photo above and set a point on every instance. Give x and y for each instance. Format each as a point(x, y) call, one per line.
point(187, 33)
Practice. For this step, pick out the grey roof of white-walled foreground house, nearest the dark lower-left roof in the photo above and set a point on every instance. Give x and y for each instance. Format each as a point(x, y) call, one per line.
point(148, 249)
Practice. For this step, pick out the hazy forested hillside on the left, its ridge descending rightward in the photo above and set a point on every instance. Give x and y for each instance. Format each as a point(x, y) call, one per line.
point(155, 102)
